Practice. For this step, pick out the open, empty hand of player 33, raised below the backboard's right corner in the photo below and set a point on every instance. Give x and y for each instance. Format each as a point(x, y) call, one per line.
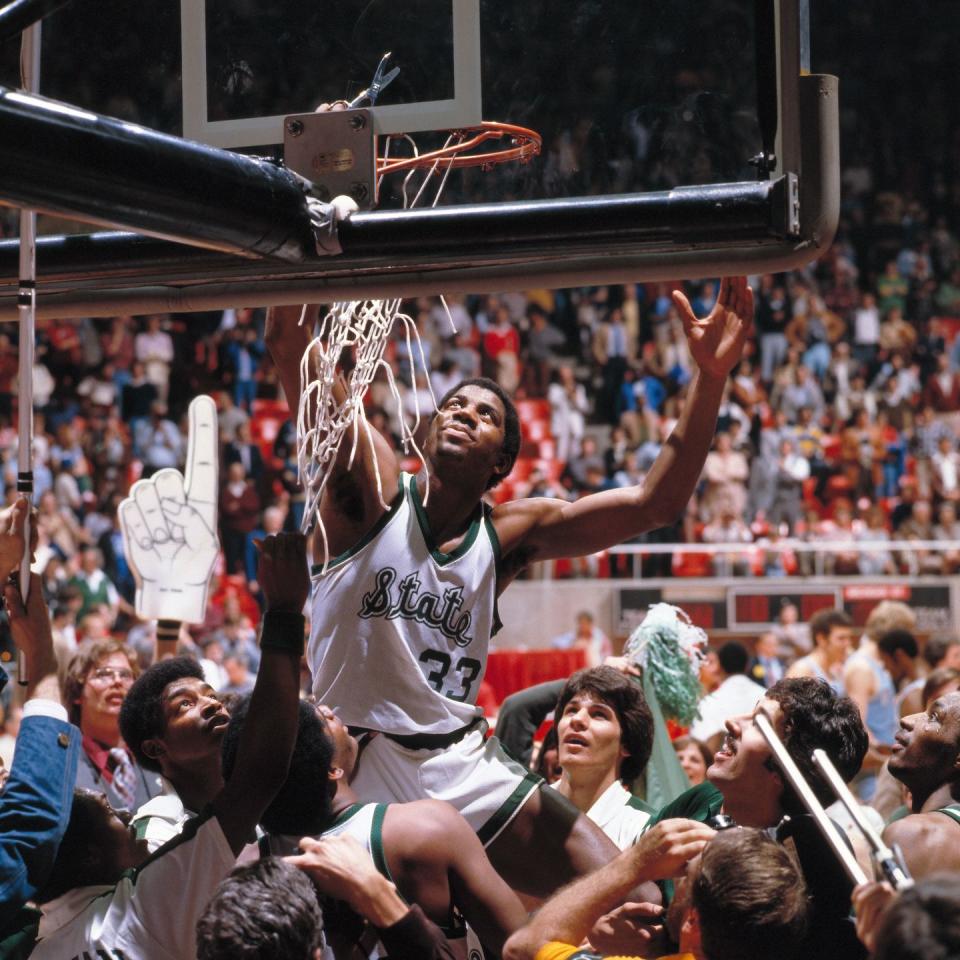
point(716, 341)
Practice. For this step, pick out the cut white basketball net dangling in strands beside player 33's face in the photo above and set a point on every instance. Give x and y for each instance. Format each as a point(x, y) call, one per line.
point(363, 326)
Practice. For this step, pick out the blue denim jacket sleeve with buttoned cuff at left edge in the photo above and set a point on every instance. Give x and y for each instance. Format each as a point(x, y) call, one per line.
point(35, 808)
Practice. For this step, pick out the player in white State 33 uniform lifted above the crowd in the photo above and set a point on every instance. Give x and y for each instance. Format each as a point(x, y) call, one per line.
point(405, 608)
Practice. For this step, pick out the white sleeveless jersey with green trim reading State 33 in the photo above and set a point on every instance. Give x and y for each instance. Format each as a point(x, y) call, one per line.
point(399, 630)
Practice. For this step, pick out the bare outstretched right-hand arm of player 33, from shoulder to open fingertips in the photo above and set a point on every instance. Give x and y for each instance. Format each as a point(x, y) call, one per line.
point(546, 529)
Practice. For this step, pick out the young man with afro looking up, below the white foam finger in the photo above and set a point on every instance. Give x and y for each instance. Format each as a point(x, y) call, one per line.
point(174, 723)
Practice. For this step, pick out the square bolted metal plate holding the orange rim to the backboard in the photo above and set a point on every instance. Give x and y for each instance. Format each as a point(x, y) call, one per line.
point(336, 151)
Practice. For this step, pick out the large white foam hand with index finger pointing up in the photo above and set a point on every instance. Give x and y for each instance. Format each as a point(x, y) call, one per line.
point(169, 525)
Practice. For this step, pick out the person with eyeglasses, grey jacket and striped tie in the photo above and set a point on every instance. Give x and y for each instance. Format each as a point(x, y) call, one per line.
point(98, 678)
